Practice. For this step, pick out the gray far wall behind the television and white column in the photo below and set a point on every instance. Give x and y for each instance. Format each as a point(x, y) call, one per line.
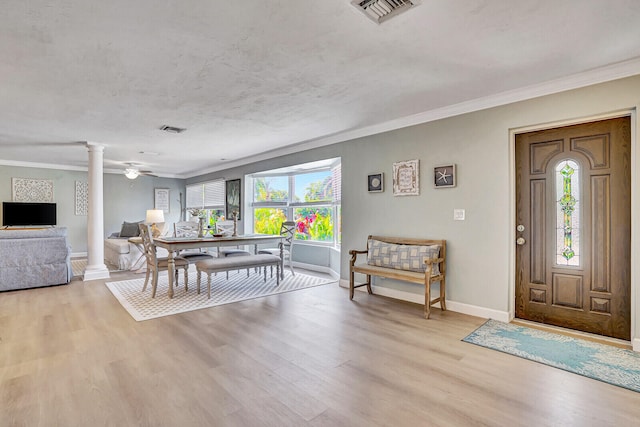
point(124, 199)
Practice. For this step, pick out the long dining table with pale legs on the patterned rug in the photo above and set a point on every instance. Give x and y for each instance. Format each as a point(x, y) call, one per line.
point(175, 244)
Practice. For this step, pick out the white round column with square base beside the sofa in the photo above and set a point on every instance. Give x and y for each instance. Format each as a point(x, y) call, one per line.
point(96, 269)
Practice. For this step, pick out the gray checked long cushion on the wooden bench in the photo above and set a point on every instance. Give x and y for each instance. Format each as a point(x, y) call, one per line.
point(402, 257)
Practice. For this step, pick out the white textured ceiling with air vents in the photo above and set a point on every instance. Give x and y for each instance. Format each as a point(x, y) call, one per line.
point(249, 78)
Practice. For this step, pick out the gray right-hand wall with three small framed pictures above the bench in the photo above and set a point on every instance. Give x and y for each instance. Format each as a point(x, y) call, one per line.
point(480, 248)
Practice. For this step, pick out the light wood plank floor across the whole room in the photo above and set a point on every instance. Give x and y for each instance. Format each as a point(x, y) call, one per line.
point(72, 356)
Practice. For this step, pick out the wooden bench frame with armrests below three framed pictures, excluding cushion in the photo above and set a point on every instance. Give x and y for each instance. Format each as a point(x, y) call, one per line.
point(426, 278)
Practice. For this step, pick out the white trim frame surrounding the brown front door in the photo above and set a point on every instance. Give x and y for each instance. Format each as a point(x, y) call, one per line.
point(635, 208)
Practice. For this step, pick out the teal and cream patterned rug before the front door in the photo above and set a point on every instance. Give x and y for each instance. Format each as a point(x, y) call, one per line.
point(602, 362)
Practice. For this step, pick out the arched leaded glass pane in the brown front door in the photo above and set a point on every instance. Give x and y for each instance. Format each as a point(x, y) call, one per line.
point(568, 213)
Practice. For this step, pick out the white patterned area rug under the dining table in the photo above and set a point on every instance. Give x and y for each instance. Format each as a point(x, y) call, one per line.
point(239, 287)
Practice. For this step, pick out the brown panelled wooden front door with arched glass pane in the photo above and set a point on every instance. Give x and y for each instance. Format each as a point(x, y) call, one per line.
point(573, 207)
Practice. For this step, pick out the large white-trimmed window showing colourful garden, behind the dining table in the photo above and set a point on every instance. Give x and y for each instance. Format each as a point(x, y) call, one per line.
point(309, 194)
